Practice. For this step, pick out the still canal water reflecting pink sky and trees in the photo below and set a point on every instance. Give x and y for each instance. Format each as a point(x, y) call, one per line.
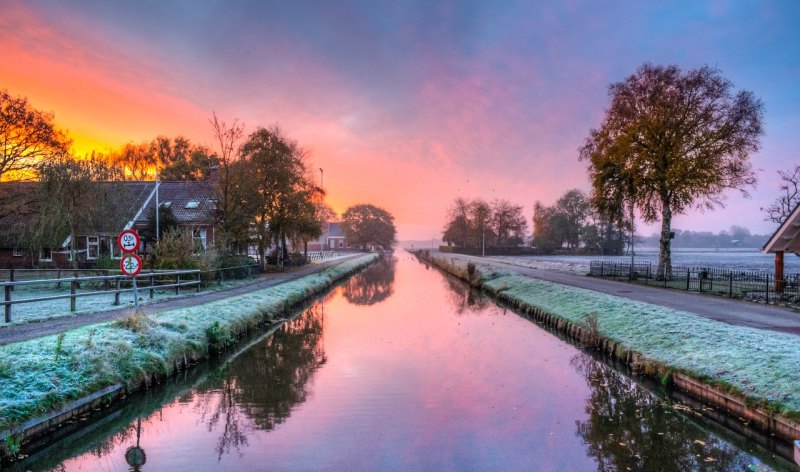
point(403, 368)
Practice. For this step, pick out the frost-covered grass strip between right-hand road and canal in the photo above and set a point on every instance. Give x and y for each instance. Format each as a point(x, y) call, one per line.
point(763, 365)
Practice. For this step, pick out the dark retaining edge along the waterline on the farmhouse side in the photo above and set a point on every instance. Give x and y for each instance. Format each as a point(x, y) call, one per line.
point(75, 414)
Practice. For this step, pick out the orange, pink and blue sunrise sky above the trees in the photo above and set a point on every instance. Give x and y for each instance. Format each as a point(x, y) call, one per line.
point(404, 105)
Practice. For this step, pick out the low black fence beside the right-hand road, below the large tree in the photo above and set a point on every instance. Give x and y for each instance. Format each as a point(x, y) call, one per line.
point(742, 284)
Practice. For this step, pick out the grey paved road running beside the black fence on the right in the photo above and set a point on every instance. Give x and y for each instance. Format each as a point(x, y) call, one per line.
point(736, 312)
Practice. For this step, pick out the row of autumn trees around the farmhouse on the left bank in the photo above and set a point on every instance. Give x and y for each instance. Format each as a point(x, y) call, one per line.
point(266, 192)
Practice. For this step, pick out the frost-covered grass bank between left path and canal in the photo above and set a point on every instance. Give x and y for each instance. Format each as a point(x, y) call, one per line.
point(40, 375)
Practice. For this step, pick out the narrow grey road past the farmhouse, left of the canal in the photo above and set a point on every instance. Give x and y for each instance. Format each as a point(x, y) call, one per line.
point(21, 332)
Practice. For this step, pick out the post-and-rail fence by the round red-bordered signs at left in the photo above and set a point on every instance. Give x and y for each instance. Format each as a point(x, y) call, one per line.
point(150, 281)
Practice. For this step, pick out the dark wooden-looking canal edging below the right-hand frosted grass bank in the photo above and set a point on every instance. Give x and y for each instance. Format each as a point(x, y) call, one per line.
point(735, 405)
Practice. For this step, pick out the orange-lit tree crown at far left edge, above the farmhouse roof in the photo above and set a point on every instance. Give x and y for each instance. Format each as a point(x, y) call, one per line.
point(27, 137)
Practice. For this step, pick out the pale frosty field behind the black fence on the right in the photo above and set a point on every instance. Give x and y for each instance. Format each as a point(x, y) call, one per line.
point(739, 259)
